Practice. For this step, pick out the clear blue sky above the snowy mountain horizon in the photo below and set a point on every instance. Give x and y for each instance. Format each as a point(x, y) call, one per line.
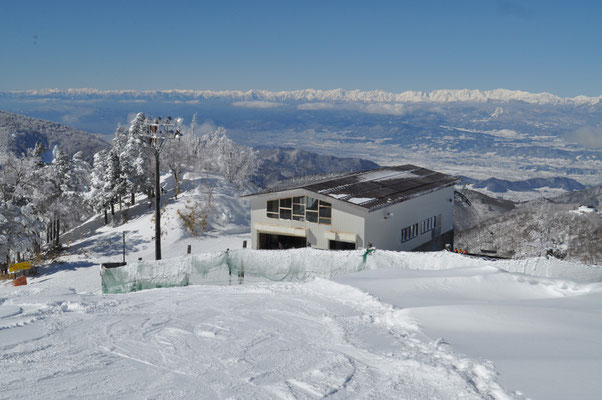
point(552, 46)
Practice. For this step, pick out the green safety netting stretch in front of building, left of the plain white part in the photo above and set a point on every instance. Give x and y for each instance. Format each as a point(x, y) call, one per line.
point(232, 266)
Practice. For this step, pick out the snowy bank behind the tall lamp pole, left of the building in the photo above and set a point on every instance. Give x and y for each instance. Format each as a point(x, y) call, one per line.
point(203, 196)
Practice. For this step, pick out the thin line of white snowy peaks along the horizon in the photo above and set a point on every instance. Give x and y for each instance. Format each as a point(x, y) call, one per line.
point(317, 95)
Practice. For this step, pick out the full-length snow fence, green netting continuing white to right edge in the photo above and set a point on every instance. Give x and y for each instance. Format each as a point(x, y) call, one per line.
point(299, 265)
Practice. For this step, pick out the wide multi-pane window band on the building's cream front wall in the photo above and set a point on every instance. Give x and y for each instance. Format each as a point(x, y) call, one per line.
point(301, 208)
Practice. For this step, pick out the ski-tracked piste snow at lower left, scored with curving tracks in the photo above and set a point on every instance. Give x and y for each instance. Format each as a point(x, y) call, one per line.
point(312, 340)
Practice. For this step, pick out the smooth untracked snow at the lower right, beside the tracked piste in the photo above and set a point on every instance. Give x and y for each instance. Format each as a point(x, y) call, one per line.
point(543, 335)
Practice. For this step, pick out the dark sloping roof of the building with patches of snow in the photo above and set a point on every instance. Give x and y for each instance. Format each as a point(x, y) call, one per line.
point(377, 188)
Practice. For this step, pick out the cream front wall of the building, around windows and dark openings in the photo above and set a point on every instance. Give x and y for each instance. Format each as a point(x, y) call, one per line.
point(345, 219)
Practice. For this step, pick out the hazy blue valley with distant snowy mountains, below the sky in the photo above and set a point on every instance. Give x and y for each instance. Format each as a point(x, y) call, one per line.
point(511, 135)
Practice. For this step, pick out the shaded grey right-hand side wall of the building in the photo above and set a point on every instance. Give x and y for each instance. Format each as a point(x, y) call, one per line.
point(386, 233)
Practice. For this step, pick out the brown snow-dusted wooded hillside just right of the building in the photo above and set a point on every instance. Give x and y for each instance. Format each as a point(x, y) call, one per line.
point(567, 227)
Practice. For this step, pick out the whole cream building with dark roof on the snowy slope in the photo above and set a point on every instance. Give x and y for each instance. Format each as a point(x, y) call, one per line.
point(399, 208)
